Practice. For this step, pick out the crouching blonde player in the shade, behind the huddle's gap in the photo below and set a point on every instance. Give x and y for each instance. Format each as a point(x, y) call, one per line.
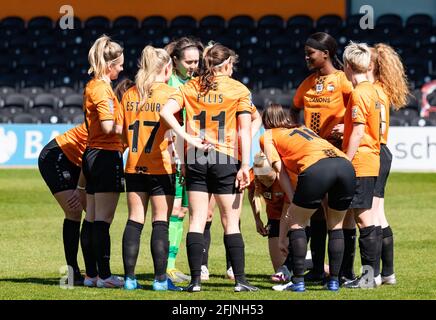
point(267, 186)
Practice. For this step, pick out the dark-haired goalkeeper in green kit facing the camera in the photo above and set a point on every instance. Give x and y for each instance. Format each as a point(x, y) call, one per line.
point(185, 54)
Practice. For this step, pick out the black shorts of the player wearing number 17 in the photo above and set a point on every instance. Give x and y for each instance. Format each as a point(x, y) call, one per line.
point(153, 184)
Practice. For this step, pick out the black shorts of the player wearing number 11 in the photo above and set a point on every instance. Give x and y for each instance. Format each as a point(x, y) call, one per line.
point(214, 173)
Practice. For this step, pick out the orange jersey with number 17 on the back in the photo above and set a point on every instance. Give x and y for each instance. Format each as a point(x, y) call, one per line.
point(148, 137)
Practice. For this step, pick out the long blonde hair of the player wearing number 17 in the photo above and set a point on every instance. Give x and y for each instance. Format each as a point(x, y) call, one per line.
point(151, 64)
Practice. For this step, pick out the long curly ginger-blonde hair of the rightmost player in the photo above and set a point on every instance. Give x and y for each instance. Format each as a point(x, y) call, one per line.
point(389, 70)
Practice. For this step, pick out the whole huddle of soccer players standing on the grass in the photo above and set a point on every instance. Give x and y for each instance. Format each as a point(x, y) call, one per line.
point(188, 127)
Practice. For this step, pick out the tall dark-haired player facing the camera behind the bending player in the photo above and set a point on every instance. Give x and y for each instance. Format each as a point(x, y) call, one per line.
point(323, 96)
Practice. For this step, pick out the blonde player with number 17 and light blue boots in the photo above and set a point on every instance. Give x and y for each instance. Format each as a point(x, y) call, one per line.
point(149, 169)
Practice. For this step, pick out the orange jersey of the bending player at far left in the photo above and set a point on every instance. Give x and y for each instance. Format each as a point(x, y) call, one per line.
point(73, 143)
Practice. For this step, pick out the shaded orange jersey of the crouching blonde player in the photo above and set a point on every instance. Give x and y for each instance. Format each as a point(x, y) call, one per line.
point(274, 198)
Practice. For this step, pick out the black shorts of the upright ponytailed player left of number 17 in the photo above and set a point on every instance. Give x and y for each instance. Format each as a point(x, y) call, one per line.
point(103, 170)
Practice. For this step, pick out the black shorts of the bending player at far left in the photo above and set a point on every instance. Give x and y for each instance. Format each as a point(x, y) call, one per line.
point(58, 172)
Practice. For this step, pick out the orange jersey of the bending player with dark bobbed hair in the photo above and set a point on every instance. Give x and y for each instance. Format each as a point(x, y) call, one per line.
point(298, 148)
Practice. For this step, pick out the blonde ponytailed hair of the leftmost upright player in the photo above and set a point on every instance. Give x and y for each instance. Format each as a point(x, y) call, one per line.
point(102, 54)
